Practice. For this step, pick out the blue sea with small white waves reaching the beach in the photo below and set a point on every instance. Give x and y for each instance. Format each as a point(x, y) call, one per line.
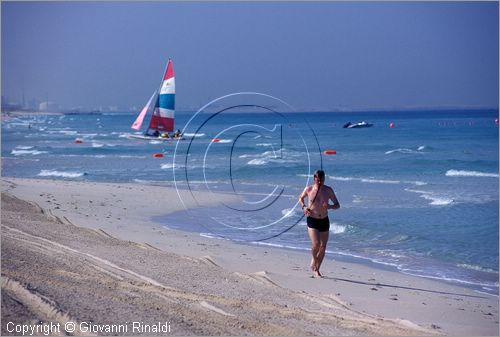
point(420, 197)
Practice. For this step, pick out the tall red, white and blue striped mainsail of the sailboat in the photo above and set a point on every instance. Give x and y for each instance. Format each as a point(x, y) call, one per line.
point(163, 113)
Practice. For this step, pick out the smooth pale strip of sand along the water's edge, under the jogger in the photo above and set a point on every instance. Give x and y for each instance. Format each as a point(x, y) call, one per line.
point(435, 306)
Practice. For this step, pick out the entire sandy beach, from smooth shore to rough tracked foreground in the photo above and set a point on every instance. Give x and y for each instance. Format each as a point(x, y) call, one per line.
point(87, 255)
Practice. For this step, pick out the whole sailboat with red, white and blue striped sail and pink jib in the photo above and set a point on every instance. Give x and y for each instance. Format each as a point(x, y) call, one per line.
point(162, 105)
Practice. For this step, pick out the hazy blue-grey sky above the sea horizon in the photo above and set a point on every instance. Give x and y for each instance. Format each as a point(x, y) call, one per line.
point(320, 55)
